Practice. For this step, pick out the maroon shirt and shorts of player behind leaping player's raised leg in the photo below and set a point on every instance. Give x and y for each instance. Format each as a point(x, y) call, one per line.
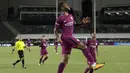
point(92, 47)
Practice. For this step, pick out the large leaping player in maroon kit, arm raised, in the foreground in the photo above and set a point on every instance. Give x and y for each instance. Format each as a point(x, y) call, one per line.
point(66, 23)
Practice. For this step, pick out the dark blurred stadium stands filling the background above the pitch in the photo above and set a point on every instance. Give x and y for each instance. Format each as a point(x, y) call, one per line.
point(38, 17)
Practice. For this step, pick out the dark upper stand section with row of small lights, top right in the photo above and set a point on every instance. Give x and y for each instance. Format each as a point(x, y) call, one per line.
point(115, 15)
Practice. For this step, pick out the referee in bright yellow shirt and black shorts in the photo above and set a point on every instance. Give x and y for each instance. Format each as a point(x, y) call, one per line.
point(20, 45)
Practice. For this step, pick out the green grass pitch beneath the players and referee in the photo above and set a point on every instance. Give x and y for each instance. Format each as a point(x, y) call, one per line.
point(117, 60)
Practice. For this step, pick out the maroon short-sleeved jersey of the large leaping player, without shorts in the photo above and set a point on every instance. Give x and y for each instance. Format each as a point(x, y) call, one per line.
point(66, 23)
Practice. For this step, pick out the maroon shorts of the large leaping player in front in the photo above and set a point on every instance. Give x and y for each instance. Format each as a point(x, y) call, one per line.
point(68, 43)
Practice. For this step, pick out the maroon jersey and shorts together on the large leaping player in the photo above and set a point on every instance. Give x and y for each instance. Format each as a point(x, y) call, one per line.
point(66, 24)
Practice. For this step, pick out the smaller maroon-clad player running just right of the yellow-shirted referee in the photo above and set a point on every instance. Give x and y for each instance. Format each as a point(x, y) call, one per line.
point(43, 51)
